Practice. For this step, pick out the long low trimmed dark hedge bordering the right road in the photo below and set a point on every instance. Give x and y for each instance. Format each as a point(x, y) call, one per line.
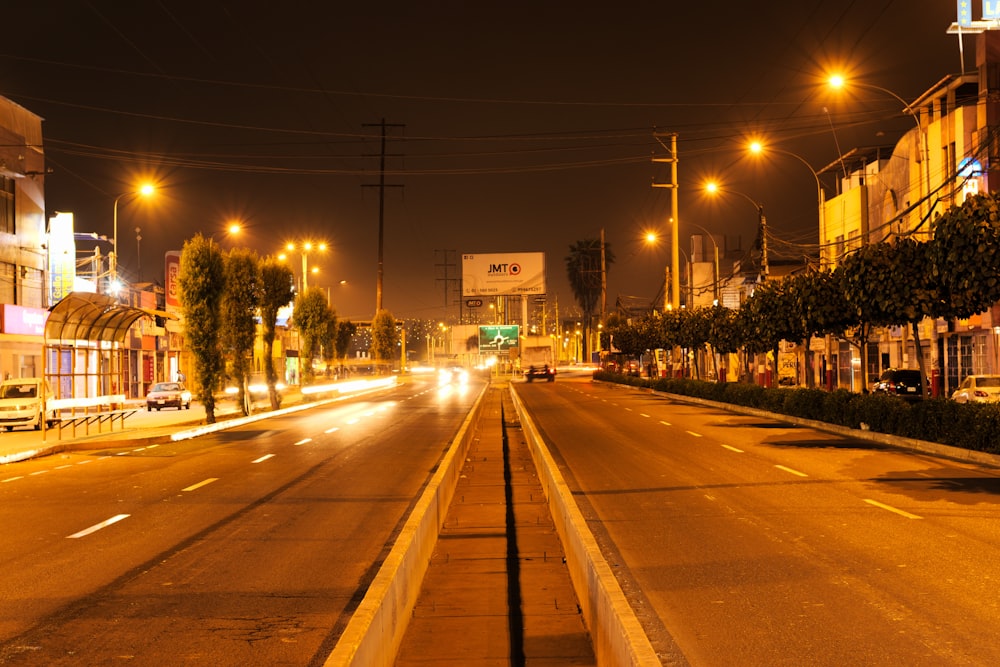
point(974, 426)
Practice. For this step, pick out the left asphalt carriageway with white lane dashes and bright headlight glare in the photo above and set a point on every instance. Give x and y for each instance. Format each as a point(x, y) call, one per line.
point(247, 546)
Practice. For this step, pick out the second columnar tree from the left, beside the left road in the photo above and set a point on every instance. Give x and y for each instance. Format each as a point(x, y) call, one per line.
point(240, 302)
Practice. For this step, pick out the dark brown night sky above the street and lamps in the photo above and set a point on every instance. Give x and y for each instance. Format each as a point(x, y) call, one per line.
point(513, 127)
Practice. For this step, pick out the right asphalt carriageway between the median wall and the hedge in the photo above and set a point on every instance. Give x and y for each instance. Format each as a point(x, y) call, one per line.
point(745, 541)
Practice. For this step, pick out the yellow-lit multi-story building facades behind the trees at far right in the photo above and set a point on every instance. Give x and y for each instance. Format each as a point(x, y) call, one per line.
point(901, 189)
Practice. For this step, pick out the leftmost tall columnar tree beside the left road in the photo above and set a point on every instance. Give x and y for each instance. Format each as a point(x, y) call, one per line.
point(202, 282)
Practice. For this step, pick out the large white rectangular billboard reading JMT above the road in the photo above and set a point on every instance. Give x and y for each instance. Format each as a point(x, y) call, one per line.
point(503, 274)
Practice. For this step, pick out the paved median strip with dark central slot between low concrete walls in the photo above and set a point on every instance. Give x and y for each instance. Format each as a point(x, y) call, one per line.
point(497, 590)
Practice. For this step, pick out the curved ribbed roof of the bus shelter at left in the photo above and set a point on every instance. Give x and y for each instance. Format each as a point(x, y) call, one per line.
point(90, 316)
